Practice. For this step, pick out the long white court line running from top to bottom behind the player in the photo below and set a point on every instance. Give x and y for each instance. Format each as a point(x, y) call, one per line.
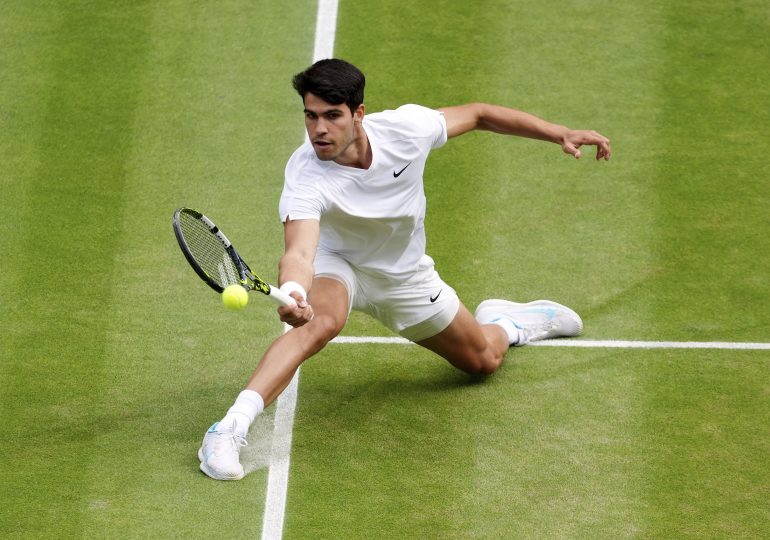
point(278, 474)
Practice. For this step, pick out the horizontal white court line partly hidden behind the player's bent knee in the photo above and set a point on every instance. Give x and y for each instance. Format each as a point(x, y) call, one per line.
point(615, 344)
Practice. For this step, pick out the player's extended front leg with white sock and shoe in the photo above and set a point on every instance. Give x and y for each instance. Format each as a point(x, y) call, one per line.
point(220, 451)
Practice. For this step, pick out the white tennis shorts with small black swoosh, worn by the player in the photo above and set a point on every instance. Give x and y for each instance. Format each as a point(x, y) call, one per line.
point(417, 308)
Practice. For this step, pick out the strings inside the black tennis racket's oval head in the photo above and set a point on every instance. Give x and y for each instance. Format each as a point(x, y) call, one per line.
point(208, 251)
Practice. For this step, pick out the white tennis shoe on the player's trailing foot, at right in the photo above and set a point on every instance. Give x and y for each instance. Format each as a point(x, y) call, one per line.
point(535, 321)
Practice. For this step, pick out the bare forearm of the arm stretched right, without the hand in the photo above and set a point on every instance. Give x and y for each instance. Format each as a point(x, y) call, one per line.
point(513, 122)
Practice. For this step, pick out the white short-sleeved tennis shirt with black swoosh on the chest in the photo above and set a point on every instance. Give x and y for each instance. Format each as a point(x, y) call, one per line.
point(373, 218)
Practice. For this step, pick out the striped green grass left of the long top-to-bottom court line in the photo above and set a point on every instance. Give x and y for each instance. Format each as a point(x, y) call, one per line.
point(143, 108)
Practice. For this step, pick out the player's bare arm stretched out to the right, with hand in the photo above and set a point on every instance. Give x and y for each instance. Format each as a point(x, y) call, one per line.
point(483, 116)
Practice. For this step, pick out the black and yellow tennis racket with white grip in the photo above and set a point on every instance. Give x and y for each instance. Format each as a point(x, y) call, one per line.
point(214, 258)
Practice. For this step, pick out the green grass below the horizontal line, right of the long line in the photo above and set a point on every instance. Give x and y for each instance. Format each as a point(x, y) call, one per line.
point(585, 444)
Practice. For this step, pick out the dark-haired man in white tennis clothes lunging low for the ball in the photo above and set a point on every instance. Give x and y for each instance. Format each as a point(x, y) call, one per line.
point(353, 209)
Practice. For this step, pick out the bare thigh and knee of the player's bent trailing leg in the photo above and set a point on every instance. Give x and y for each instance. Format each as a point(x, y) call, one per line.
point(469, 346)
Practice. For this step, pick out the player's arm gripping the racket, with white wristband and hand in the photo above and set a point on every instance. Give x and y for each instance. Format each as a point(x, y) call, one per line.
point(296, 268)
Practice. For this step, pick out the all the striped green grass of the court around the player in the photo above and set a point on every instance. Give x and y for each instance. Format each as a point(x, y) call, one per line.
point(115, 359)
